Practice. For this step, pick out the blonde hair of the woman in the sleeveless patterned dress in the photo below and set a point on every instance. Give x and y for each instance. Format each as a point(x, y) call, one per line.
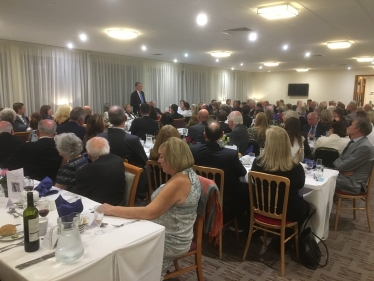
point(177, 154)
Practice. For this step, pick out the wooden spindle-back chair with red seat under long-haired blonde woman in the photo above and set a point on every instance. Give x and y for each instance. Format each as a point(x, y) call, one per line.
point(263, 216)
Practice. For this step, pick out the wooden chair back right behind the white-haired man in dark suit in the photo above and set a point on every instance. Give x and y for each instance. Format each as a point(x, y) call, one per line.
point(132, 175)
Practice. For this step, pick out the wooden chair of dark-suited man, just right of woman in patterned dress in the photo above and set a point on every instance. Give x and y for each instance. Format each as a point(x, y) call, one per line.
point(218, 176)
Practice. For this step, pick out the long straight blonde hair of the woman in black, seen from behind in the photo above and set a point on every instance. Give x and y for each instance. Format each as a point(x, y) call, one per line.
point(277, 152)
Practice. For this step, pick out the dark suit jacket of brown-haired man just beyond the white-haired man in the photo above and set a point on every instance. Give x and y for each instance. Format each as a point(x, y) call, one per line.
point(126, 146)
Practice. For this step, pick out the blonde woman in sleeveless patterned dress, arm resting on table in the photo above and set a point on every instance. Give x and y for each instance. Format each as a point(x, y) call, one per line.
point(174, 204)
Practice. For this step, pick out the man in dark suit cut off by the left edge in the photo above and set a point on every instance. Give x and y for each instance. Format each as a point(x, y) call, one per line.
point(8, 142)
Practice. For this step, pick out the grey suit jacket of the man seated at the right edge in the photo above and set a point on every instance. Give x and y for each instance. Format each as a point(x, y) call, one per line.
point(357, 159)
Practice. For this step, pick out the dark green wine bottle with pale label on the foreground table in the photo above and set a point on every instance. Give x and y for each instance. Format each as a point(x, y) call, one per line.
point(31, 225)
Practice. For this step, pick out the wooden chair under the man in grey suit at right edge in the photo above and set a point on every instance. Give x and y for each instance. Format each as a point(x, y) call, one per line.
point(363, 195)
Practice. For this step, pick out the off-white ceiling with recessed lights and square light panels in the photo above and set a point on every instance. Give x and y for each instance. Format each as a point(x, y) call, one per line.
point(168, 28)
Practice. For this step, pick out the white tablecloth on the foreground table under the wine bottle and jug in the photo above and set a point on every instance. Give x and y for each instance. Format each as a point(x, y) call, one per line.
point(132, 252)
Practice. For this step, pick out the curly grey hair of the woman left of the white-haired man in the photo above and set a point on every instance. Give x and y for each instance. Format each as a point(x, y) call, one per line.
point(69, 145)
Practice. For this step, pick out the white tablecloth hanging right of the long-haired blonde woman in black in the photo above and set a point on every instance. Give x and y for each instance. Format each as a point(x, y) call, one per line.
point(320, 194)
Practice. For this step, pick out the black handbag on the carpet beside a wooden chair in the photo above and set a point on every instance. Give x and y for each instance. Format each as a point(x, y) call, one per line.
point(310, 253)
